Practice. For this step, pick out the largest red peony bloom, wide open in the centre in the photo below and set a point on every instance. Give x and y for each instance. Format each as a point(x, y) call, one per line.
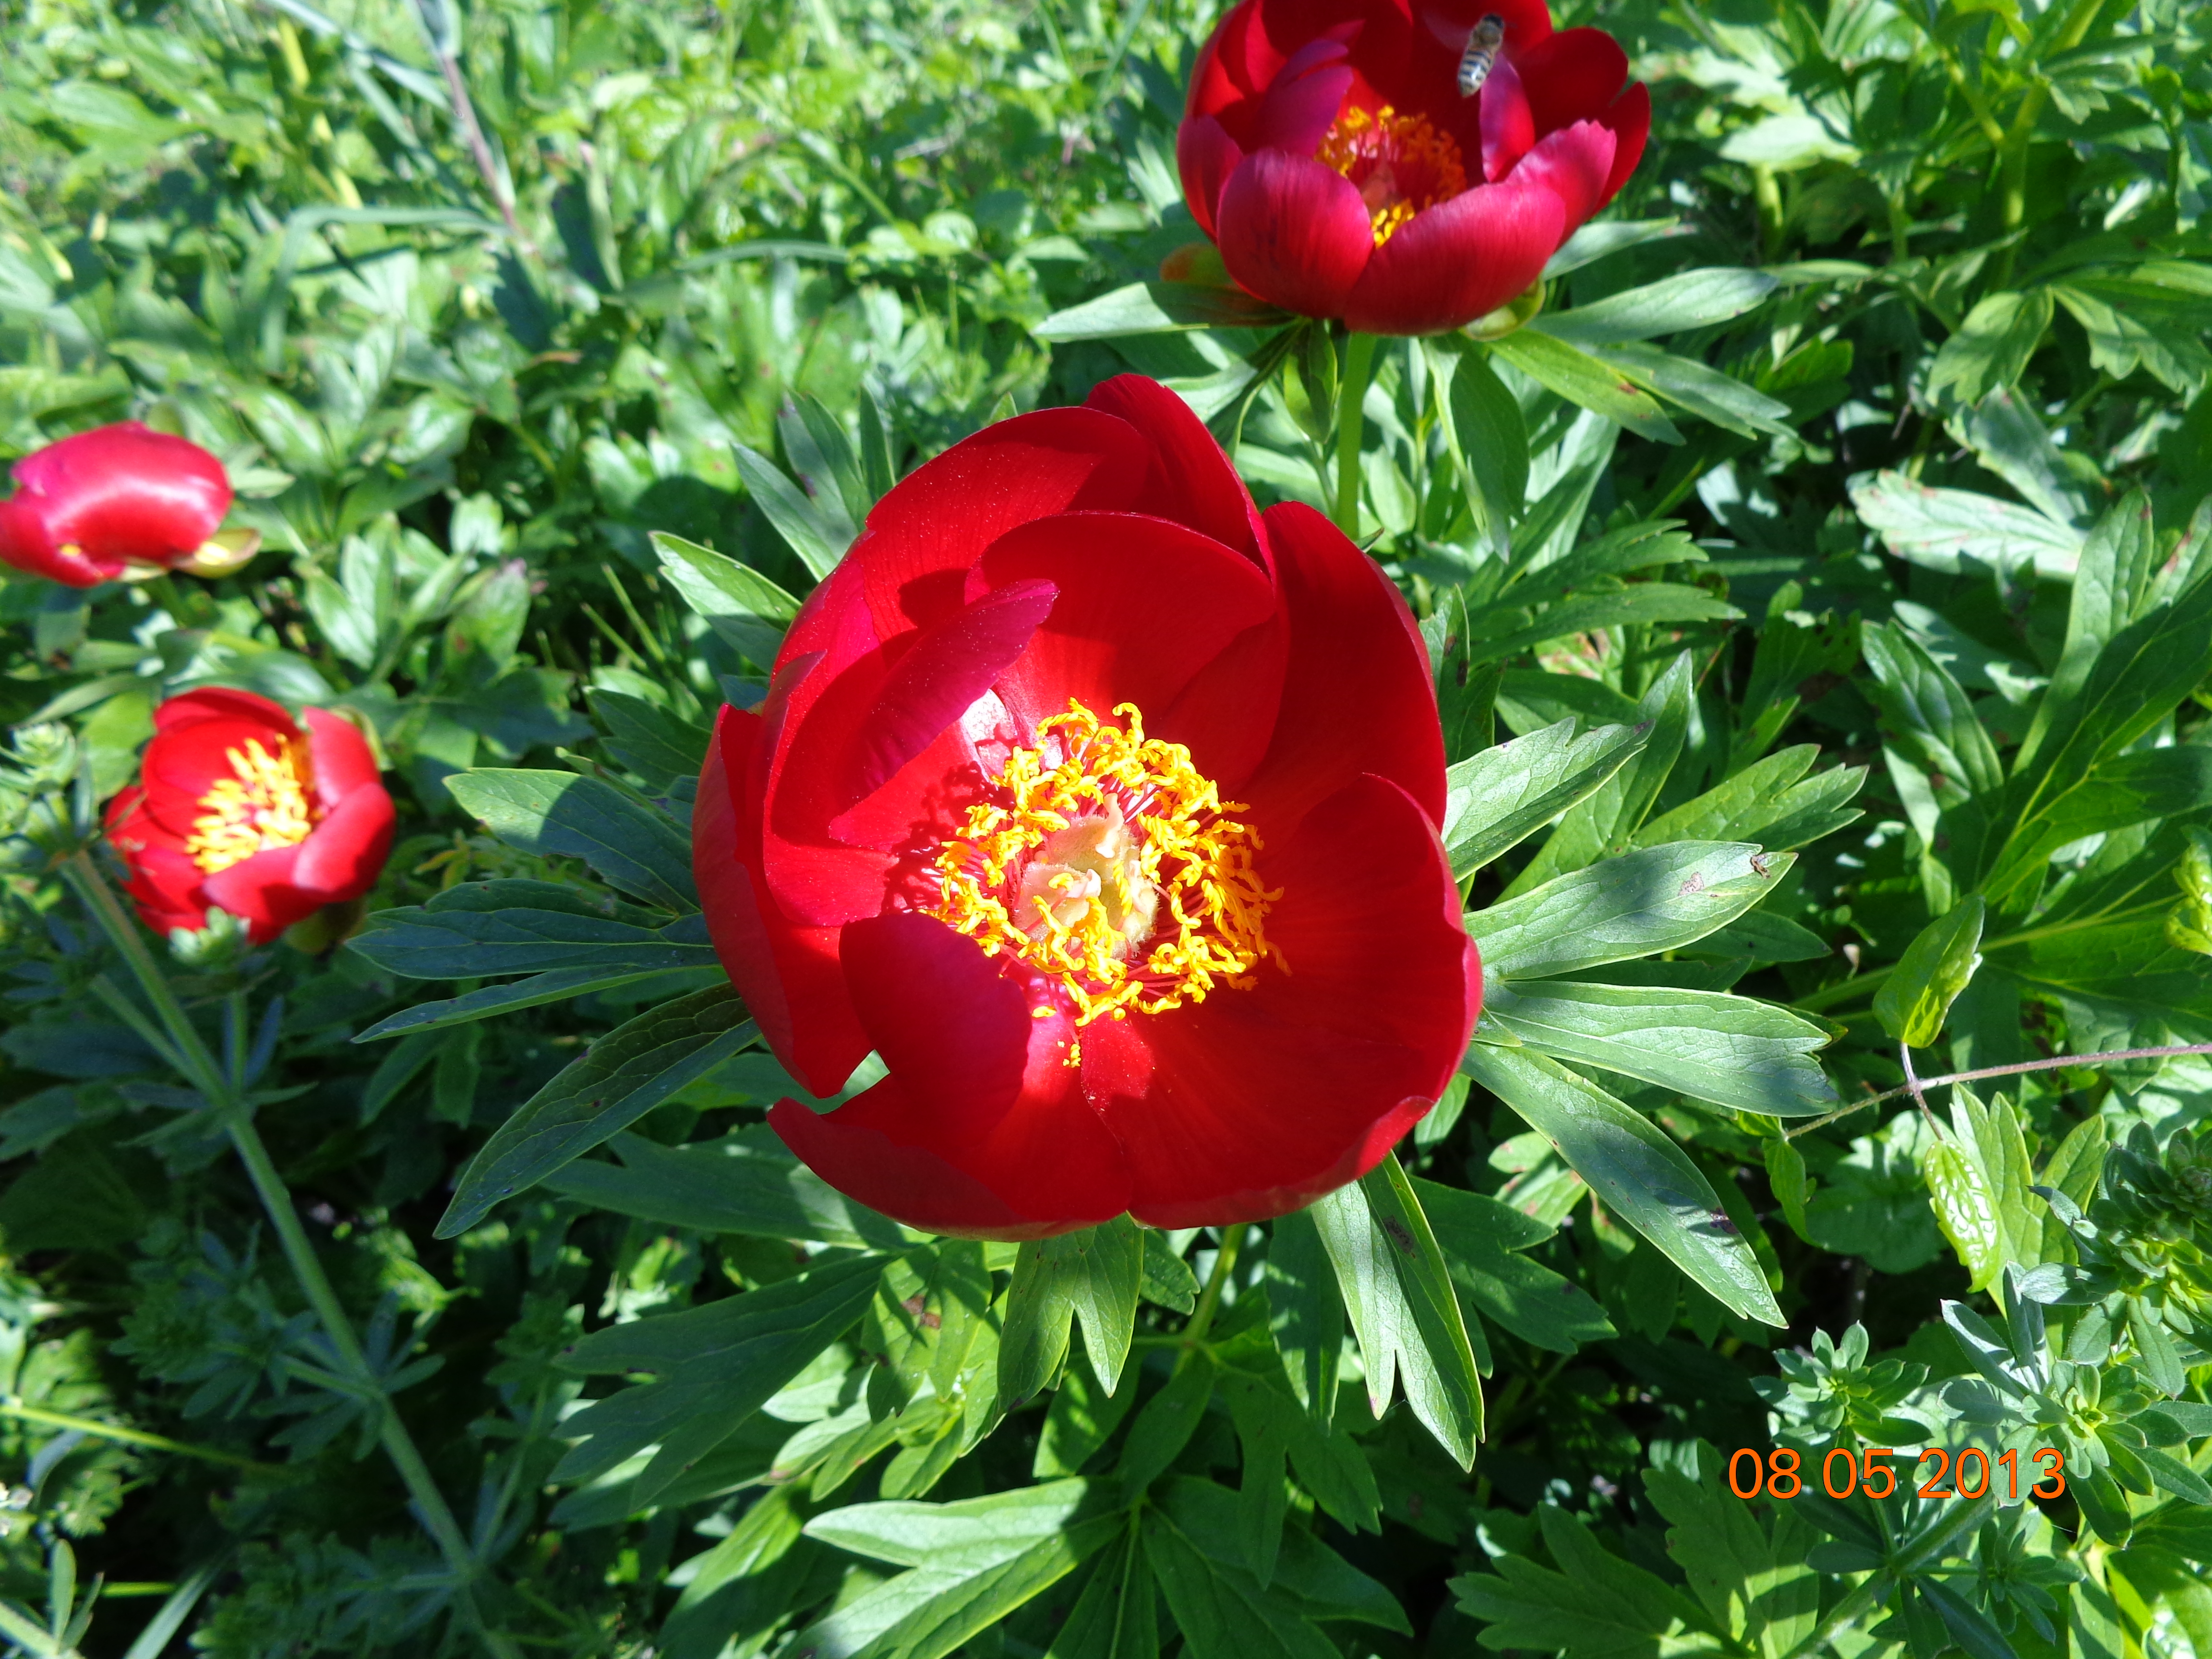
point(1103, 808)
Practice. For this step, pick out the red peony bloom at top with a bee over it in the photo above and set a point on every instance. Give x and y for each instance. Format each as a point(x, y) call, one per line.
point(1331, 156)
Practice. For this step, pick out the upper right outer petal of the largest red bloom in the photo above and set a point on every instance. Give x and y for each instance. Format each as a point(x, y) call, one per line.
point(1357, 691)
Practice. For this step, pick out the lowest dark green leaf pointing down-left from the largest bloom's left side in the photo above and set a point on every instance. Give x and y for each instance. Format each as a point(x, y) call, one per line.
point(625, 1076)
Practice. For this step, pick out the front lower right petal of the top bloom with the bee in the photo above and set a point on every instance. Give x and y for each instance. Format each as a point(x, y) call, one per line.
point(1459, 260)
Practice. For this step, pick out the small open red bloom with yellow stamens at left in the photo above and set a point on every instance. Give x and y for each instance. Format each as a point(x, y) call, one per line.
point(242, 811)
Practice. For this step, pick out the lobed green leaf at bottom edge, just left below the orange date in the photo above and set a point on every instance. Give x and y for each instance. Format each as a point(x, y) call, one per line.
point(1596, 1607)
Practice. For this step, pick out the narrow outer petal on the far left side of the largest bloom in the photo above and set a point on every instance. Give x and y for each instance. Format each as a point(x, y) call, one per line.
point(789, 977)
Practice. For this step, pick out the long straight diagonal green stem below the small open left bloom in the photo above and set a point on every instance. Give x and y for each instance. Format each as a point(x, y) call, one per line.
point(227, 1100)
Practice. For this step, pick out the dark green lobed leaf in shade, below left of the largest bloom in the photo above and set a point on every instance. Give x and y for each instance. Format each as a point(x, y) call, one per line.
point(711, 1370)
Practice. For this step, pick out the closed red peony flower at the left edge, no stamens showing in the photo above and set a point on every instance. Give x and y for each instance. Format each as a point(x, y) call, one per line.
point(116, 501)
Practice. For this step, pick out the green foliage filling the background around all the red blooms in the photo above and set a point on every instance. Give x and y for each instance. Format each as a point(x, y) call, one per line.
point(1822, 598)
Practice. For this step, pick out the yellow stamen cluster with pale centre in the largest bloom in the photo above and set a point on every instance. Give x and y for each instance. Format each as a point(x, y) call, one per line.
point(1109, 864)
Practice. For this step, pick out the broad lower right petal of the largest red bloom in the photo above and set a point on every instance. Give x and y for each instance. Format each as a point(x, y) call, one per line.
point(1255, 1103)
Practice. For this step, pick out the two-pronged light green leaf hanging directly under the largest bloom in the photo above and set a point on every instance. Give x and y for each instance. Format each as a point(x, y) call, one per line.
point(1094, 1277)
